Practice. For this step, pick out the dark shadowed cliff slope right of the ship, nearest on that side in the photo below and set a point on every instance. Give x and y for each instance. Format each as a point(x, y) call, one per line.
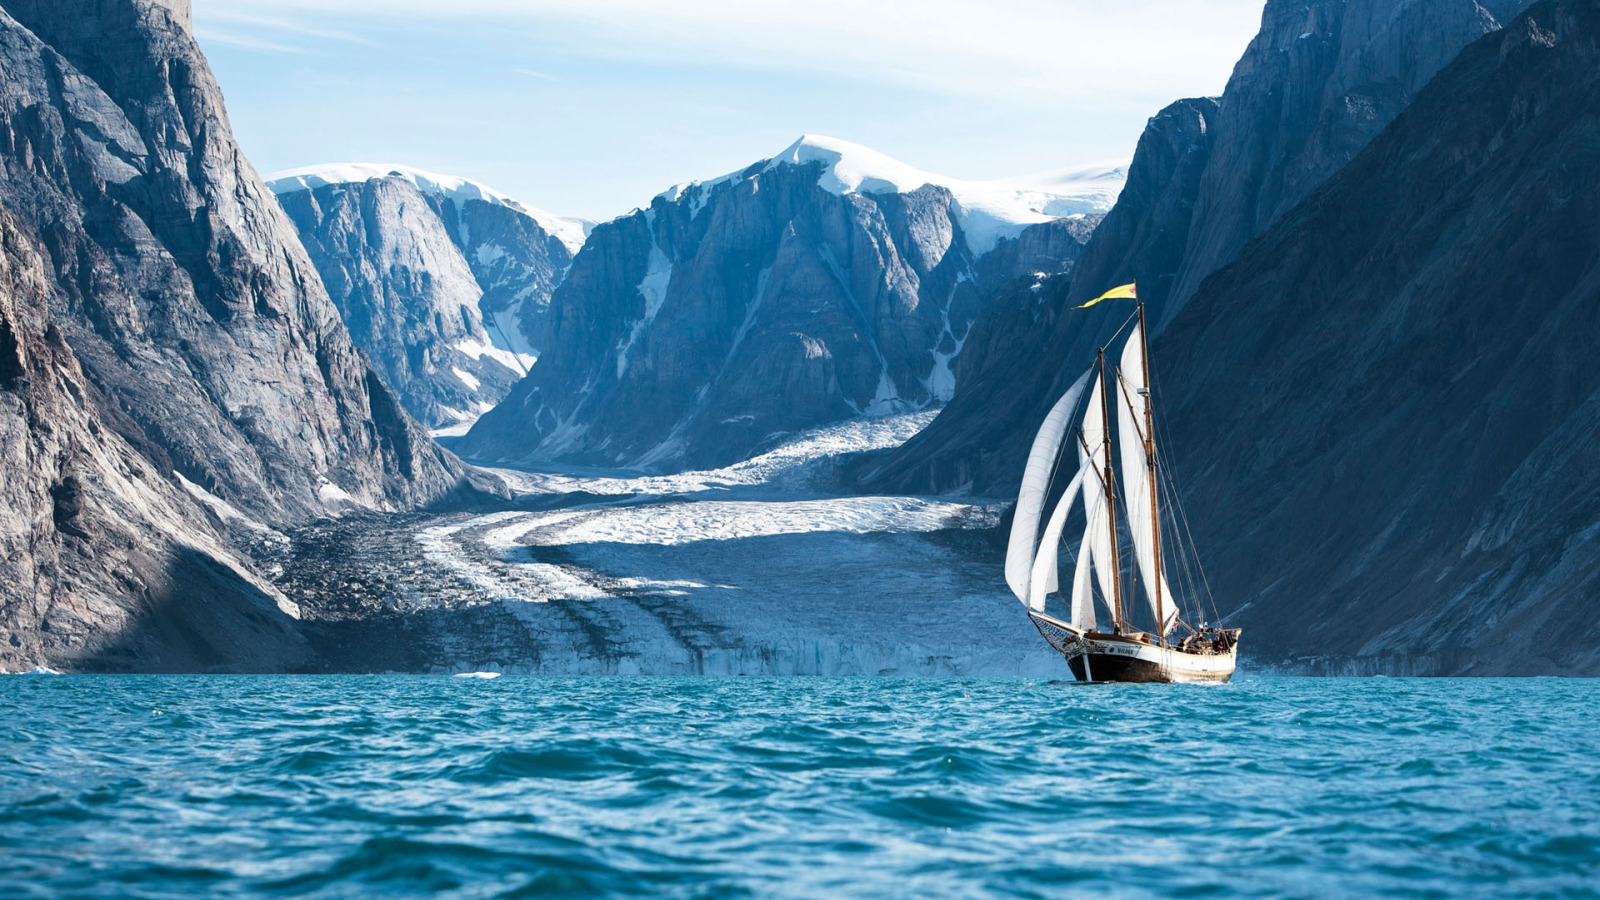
point(1385, 411)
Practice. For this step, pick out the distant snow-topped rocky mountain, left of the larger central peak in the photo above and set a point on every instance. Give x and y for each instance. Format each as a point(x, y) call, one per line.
point(442, 281)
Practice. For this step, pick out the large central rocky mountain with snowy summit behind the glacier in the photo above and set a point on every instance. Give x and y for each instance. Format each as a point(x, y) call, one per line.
point(822, 284)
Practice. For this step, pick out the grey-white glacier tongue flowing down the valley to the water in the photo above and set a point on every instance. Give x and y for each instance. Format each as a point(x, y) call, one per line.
point(753, 569)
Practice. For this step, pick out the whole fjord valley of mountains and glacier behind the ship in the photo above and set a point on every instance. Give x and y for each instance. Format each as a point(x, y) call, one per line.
point(774, 422)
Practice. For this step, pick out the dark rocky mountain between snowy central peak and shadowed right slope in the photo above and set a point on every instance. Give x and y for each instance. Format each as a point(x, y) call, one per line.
point(1319, 81)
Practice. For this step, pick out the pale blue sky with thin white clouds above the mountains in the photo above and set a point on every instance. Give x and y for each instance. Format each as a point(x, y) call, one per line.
point(593, 106)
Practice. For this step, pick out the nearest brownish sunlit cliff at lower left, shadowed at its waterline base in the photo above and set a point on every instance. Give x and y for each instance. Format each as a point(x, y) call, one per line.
point(108, 565)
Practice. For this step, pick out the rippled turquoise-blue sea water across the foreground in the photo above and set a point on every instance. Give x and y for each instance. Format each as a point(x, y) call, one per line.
point(530, 787)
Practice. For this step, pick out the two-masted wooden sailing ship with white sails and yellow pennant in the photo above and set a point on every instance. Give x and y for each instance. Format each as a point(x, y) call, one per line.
point(1113, 473)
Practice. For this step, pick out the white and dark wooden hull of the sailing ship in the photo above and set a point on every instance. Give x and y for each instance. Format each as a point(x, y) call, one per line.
point(1116, 657)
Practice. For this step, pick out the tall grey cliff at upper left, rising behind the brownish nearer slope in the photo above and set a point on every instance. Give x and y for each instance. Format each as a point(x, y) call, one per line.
point(180, 284)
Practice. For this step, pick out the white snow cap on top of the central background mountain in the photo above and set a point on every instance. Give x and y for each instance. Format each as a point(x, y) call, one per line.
point(988, 211)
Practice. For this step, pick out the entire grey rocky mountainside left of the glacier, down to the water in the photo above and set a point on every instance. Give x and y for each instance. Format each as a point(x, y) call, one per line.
point(170, 364)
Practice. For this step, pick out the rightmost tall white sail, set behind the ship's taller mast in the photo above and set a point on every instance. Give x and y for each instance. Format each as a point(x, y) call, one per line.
point(1135, 481)
